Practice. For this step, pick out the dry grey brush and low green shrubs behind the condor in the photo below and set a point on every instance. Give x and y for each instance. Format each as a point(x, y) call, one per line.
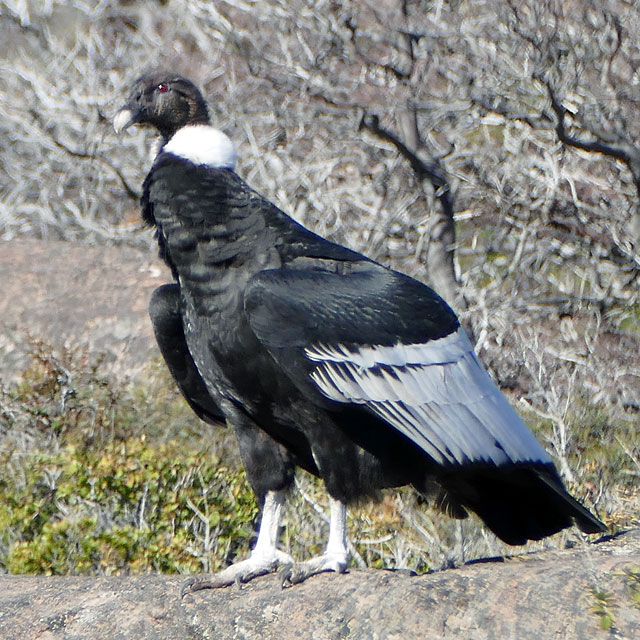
point(489, 148)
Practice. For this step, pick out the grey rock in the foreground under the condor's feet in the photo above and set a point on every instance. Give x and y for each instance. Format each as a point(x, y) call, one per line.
point(569, 594)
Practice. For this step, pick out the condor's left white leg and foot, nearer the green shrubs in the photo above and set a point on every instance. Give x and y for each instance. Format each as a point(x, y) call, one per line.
point(265, 557)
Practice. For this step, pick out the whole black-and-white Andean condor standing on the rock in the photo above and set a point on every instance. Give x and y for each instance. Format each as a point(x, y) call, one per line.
point(321, 358)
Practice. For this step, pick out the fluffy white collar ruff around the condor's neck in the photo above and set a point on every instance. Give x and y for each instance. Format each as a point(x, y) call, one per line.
point(203, 145)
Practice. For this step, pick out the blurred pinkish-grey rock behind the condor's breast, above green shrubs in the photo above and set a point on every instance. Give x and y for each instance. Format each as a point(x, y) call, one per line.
point(77, 296)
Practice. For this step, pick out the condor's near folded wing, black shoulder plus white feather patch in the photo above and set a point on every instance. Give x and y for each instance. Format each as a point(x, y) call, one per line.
point(398, 353)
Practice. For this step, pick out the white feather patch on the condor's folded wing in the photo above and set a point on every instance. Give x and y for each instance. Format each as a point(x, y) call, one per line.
point(437, 394)
